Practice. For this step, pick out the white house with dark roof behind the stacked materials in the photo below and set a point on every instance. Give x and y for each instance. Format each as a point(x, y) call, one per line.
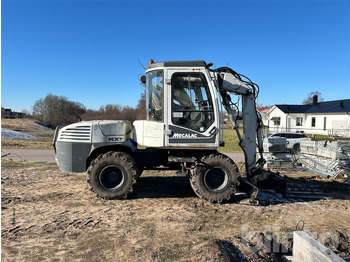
point(328, 118)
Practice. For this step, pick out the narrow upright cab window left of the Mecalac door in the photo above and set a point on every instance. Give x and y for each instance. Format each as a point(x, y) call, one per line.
point(155, 93)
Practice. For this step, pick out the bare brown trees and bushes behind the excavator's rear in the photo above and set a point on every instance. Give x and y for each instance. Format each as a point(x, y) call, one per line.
point(56, 110)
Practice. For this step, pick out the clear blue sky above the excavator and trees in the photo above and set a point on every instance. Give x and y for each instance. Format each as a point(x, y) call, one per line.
point(88, 51)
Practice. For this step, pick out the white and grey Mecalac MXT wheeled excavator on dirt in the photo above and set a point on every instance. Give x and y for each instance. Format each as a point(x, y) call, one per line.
point(182, 131)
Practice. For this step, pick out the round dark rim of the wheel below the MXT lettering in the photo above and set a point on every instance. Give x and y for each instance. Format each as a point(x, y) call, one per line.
point(111, 177)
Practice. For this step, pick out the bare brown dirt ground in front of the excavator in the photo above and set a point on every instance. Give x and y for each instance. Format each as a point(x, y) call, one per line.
point(49, 215)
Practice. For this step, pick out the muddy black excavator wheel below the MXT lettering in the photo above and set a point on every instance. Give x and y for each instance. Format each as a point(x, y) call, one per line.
point(112, 175)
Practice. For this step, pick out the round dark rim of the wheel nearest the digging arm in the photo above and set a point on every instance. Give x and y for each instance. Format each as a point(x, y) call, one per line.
point(215, 179)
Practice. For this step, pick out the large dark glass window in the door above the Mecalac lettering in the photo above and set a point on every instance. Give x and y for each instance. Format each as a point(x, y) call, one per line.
point(191, 101)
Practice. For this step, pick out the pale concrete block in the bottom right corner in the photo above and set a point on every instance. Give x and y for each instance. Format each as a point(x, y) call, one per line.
point(307, 249)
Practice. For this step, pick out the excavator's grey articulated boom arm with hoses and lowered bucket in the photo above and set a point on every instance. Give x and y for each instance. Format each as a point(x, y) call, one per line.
point(229, 81)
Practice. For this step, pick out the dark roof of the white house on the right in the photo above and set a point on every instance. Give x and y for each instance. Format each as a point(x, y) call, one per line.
point(337, 106)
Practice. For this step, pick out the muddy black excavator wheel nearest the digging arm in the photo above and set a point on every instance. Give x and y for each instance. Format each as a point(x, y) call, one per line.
point(215, 178)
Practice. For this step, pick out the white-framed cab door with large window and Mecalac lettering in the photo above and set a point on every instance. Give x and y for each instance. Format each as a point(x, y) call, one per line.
point(192, 118)
